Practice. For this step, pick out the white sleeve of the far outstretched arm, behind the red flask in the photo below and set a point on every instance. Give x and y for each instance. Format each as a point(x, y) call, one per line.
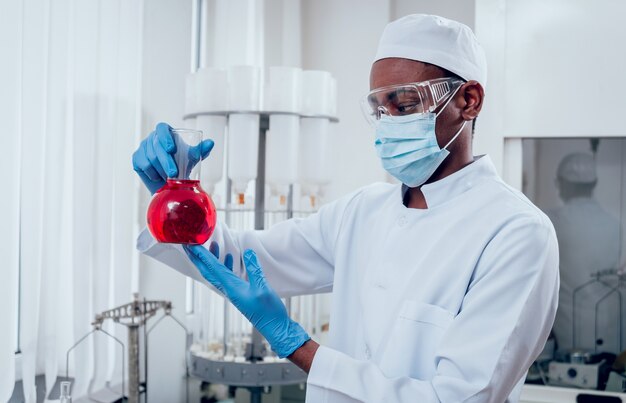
point(297, 255)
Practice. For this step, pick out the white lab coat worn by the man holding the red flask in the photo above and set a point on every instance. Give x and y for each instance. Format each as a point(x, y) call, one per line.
point(448, 304)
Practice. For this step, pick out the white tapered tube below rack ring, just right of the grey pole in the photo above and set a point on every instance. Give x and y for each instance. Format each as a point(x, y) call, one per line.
point(281, 155)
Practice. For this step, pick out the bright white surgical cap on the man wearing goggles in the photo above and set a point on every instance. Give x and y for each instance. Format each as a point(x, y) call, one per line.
point(435, 40)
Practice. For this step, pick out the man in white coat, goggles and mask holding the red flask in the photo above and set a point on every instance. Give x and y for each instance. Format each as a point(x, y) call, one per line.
point(447, 292)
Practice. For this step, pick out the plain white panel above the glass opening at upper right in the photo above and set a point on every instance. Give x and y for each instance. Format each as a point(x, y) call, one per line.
point(563, 65)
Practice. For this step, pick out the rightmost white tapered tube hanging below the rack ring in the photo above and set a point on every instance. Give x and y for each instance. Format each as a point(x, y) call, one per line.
point(313, 151)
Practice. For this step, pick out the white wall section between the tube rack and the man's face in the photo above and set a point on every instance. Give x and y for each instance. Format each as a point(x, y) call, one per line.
point(341, 37)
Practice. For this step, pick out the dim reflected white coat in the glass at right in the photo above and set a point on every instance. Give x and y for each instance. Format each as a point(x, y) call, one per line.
point(589, 240)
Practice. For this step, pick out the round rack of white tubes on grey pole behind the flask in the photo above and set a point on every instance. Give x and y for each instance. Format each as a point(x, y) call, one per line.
point(261, 147)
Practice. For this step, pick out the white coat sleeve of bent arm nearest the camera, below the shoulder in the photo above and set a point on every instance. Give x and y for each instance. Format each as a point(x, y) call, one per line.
point(504, 321)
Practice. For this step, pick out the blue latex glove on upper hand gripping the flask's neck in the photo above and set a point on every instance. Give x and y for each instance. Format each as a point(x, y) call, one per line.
point(153, 160)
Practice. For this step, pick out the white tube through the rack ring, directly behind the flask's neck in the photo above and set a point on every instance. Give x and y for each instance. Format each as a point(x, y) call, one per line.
point(212, 96)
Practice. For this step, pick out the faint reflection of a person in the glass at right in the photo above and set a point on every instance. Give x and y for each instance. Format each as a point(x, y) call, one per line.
point(589, 241)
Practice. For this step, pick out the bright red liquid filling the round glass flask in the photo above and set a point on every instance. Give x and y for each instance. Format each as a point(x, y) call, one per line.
point(181, 212)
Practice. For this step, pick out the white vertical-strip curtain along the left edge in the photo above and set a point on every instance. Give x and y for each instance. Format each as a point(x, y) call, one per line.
point(70, 79)
